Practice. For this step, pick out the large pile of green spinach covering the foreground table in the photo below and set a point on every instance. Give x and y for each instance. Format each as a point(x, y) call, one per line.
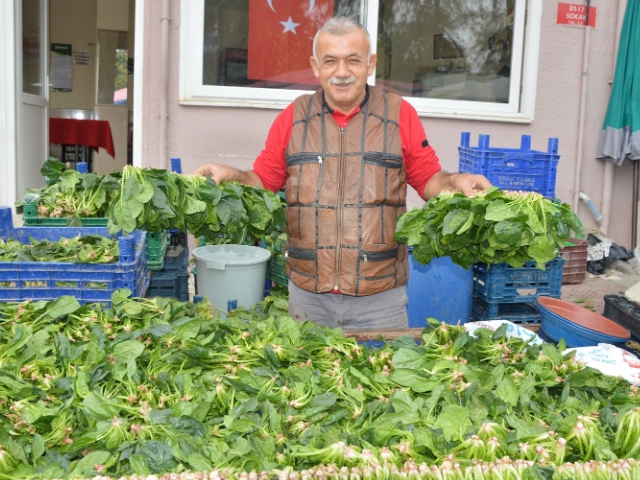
point(152, 386)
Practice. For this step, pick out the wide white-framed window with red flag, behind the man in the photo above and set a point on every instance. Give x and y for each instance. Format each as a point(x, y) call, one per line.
point(449, 58)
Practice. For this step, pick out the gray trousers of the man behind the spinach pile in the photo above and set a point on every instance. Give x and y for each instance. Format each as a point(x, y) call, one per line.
point(385, 310)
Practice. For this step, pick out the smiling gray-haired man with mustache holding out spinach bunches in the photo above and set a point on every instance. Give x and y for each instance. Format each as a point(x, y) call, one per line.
point(344, 155)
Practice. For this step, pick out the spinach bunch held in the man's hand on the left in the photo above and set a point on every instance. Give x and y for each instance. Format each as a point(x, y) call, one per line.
point(153, 199)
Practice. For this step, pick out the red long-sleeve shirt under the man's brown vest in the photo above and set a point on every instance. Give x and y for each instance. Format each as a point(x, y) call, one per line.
point(420, 159)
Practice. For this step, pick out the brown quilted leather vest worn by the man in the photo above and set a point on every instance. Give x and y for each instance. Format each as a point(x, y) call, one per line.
point(345, 191)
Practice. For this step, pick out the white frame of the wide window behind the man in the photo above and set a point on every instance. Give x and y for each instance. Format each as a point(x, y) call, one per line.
point(522, 94)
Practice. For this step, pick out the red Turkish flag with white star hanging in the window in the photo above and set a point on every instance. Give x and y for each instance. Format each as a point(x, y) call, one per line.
point(281, 38)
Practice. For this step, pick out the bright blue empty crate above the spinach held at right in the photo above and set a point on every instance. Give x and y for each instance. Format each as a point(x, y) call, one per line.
point(512, 169)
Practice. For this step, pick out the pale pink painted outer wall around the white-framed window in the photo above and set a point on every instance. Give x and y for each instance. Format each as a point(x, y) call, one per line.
point(235, 136)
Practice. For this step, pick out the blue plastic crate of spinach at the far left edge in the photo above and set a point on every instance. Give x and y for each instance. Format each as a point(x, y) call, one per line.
point(21, 281)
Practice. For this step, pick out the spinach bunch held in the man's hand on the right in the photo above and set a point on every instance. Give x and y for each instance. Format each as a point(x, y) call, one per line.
point(492, 227)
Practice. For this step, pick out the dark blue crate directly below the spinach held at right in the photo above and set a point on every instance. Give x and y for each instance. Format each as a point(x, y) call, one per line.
point(502, 283)
